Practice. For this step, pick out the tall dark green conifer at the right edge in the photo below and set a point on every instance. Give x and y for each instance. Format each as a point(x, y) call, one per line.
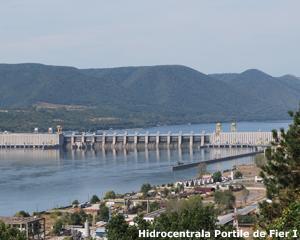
point(281, 173)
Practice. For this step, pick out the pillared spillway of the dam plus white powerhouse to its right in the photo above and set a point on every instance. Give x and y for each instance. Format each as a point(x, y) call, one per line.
point(123, 140)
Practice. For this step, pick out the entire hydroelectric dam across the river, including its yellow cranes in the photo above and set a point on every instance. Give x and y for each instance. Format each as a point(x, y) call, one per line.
point(105, 140)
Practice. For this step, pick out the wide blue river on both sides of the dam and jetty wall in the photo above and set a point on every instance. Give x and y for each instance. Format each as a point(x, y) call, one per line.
point(36, 180)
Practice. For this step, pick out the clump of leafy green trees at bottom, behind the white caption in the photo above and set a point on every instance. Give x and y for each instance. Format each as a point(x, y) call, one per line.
point(182, 215)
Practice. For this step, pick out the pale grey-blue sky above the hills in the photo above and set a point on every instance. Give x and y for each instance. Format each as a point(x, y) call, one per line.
point(212, 36)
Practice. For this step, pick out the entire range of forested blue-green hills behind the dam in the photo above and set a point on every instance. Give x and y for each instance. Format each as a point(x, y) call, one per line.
point(136, 96)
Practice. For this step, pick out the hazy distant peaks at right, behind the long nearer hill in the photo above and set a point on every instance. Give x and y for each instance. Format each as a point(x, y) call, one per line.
point(276, 93)
